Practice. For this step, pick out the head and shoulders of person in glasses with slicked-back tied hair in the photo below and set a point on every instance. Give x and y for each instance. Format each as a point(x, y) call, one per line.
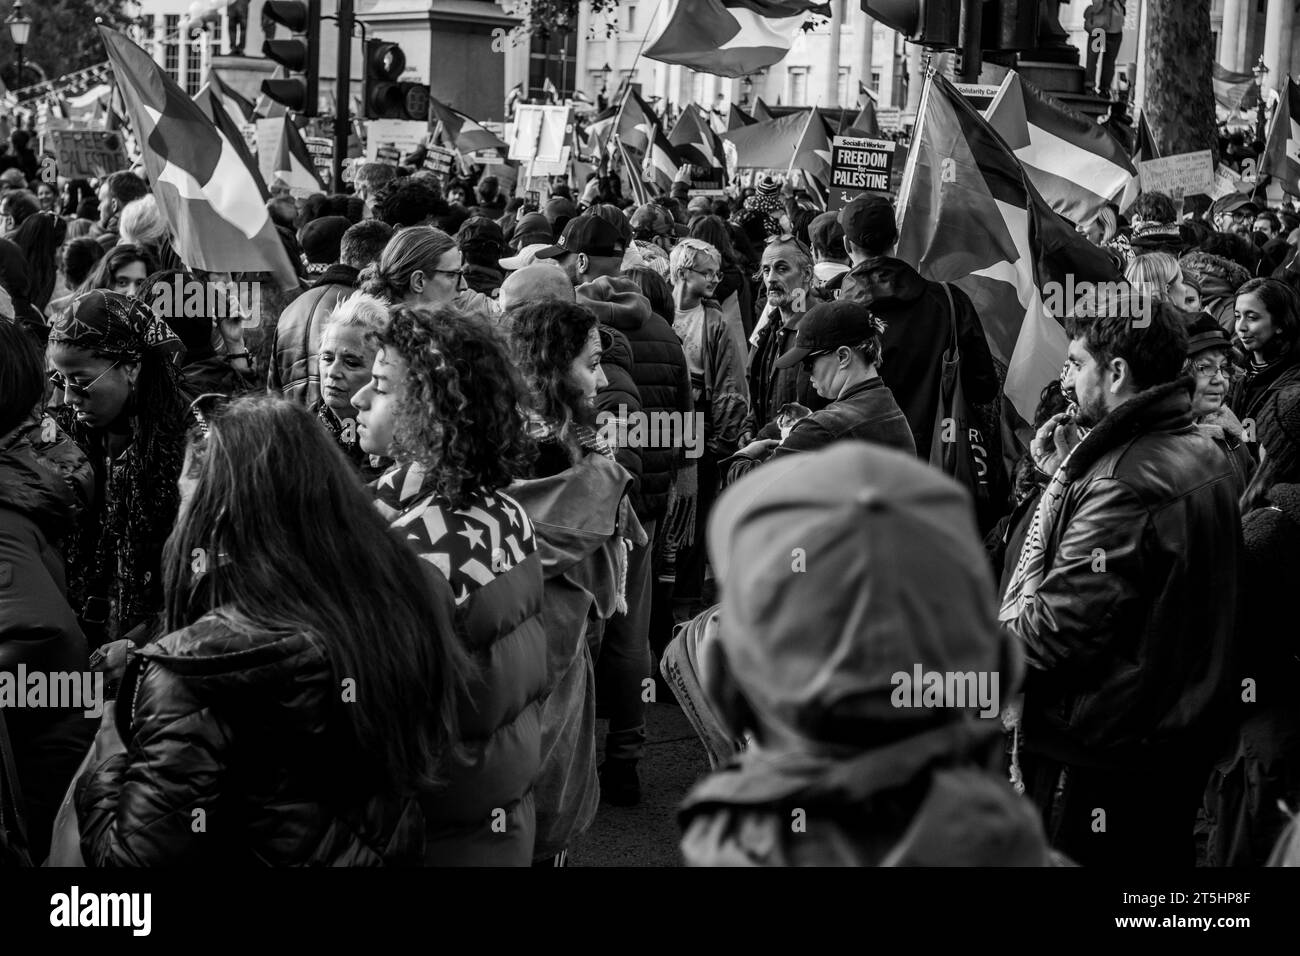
point(423, 267)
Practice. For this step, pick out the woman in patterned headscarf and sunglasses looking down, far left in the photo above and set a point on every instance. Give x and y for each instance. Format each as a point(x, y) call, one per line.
point(119, 396)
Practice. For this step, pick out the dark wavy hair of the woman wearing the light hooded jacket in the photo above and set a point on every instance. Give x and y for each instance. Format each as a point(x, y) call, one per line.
point(547, 338)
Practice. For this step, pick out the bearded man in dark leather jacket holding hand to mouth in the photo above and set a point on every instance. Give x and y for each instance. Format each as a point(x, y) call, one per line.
point(1125, 600)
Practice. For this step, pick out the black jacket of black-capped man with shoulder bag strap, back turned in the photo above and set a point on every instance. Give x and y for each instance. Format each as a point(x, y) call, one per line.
point(918, 328)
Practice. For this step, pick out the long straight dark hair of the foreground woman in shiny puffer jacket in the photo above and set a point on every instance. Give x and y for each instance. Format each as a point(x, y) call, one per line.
point(266, 474)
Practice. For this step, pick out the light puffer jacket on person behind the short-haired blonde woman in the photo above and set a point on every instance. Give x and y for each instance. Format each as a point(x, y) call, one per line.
point(297, 341)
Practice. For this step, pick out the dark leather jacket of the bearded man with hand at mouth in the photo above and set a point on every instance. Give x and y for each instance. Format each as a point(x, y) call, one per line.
point(1133, 660)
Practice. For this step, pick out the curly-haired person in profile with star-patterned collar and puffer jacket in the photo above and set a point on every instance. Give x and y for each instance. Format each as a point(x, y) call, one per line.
point(444, 403)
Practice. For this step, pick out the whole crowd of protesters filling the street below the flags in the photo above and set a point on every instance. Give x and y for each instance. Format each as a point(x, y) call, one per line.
point(362, 573)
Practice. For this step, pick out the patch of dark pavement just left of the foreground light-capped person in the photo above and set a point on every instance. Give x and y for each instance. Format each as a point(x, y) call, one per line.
point(647, 836)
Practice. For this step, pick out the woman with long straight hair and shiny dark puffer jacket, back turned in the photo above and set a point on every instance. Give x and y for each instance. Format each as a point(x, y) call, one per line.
point(305, 698)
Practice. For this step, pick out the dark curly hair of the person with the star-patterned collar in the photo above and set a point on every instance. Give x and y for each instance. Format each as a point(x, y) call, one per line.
point(460, 413)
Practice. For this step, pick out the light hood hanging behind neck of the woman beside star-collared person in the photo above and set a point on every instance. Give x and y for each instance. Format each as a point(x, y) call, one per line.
point(575, 512)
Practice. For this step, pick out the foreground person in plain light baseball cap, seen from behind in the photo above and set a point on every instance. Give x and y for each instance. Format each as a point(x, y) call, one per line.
point(843, 765)
